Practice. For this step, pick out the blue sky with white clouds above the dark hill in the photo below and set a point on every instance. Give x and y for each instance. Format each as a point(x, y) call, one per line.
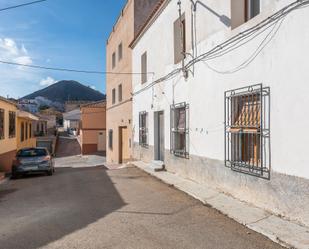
point(56, 33)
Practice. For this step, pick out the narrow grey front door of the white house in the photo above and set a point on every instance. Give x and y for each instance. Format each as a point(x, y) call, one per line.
point(159, 136)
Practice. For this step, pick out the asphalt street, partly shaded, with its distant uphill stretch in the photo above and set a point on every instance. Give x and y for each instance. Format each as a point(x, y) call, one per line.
point(95, 207)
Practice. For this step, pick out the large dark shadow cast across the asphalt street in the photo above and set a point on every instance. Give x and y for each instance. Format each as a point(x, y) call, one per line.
point(59, 205)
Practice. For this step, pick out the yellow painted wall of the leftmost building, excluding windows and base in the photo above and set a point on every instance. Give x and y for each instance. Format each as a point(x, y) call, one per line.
point(7, 144)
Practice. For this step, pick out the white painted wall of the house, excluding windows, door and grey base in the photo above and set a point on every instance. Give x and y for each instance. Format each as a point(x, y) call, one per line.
point(282, 65)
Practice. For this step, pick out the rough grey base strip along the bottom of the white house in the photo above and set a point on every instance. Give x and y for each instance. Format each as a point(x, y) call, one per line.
point(283, 194)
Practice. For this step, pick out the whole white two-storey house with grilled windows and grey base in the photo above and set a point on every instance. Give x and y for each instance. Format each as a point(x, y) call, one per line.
point(224, 96)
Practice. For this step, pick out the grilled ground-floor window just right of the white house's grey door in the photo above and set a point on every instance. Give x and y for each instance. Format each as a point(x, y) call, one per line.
point(180, 130)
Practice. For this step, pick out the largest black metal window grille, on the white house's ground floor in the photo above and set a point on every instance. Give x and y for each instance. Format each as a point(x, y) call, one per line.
point(247, 130)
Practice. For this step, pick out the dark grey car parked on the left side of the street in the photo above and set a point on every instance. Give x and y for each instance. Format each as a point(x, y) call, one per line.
point(32, 160)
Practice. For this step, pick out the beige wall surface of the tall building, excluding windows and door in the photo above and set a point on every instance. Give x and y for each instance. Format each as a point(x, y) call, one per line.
point(120, 113)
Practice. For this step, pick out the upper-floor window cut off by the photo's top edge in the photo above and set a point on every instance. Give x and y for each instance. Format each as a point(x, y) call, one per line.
point(243, 10)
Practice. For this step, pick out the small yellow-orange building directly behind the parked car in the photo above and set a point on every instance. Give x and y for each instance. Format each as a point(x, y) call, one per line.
point(25, 130)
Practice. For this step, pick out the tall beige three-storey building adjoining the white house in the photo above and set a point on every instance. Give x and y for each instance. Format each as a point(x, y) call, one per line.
point(119, 86)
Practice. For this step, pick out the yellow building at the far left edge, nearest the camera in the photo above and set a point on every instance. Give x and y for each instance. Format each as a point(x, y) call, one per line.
point(8, 143)
